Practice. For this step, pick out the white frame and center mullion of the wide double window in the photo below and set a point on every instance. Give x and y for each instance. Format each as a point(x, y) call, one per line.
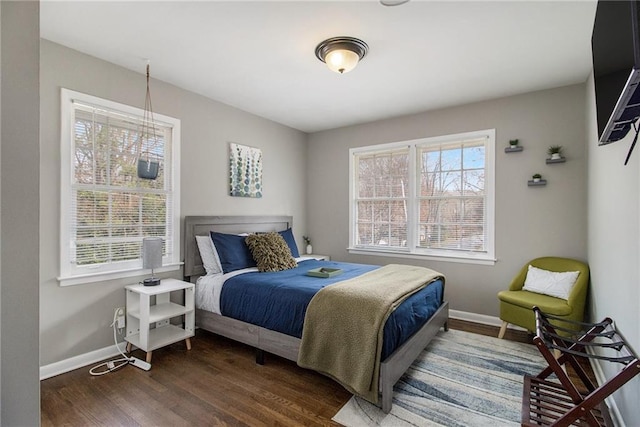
point(412, 250)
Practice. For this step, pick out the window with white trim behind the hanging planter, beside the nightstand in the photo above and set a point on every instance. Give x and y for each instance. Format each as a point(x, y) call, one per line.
point(106, 209)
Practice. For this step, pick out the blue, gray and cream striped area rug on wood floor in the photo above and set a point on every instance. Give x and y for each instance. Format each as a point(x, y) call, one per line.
point(461, 379)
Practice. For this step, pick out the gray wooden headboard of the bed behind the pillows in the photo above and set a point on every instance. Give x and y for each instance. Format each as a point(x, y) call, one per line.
point(202, 225)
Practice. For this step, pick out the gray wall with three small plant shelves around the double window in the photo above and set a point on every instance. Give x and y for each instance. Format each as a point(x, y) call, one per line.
point(530, 221)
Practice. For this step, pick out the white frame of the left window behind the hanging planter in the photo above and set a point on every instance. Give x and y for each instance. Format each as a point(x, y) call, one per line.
point(71, 274)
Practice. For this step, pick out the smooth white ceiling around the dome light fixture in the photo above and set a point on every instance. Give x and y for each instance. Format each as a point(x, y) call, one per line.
point(259, 56)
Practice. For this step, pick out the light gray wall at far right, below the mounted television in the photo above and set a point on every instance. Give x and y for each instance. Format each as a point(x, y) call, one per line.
point(614, 244)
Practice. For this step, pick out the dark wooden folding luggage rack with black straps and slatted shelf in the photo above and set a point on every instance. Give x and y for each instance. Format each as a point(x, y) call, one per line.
point(551, 402)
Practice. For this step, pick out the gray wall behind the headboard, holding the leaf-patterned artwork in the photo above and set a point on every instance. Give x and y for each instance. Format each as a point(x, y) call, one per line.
point(75, 319)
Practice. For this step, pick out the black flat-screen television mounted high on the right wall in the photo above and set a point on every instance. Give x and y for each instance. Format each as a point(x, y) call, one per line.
point(615, 45)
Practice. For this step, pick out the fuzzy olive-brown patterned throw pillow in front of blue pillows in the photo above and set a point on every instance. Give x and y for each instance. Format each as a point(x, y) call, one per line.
point(270, 252)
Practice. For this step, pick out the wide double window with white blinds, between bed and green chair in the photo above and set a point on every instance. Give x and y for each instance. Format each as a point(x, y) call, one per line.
point(432, 197)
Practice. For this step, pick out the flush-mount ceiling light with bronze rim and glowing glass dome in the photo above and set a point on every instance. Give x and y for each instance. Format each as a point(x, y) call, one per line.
point(341, 54)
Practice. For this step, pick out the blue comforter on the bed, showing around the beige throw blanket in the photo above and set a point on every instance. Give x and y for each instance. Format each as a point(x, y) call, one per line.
point(279, 300)
